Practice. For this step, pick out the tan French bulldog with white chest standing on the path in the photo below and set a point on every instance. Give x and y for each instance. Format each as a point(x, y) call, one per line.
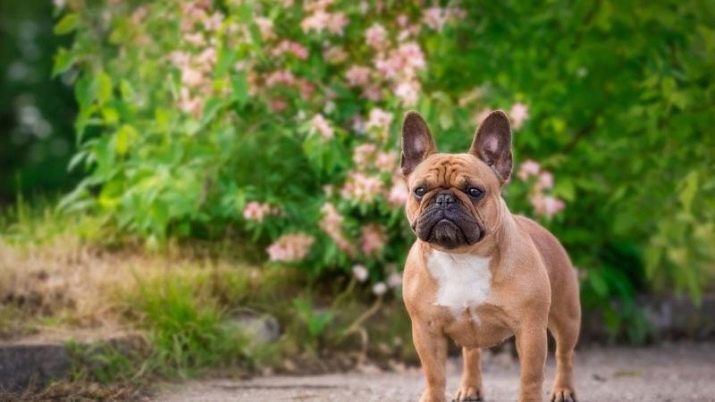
point(477, 273)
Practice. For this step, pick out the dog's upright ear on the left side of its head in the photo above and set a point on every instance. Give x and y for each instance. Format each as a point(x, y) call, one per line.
point(417, 143)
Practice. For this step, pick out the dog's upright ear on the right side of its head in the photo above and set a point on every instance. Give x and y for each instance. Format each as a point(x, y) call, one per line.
point(492, 144)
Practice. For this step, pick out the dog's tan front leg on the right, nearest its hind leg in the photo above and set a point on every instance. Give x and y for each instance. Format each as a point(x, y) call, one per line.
point(531, 346)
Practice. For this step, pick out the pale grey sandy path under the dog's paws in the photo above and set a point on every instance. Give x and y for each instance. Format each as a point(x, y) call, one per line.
point(675, 372)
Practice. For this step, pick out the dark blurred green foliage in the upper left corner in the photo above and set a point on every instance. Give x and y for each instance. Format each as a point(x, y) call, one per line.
point(36, 112)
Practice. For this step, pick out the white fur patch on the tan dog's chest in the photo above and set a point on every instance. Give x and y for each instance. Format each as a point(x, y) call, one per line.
point(464, 280)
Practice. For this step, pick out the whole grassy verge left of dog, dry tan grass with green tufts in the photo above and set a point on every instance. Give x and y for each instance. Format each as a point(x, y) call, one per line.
point(63, 280)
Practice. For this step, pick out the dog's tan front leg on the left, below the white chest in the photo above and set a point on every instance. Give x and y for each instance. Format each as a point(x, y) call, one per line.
point(431, 347)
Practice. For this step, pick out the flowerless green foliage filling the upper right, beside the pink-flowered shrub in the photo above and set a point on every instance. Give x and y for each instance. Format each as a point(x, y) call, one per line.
point(622, 99)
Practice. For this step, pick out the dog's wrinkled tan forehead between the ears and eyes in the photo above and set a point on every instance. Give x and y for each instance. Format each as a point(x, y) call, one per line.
point(452, 170)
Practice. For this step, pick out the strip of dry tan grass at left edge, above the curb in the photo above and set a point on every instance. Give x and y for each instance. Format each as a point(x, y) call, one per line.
point(65, 285)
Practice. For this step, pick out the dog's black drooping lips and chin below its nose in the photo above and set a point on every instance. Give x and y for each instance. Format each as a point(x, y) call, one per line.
point(448, 229)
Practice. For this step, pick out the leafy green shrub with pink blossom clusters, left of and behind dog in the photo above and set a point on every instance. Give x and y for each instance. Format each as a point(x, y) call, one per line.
point(280, 119)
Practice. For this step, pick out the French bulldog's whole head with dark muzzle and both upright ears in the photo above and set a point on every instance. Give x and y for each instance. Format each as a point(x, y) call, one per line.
point(454, 198)
